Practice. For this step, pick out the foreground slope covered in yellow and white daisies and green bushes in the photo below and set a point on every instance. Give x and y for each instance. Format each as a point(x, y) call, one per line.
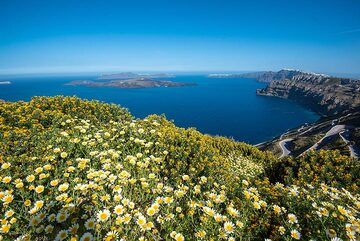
point(84, 170)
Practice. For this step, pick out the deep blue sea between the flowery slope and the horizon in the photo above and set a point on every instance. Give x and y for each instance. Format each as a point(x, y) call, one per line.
point(226, 106)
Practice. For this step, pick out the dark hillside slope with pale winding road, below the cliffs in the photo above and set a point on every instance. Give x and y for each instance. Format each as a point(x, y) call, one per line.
point(338, 132)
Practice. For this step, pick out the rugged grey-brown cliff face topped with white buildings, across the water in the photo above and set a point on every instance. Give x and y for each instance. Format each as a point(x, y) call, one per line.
point(321, 93)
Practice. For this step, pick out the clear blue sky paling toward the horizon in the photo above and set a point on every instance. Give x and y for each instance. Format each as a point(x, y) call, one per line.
point(179, 35)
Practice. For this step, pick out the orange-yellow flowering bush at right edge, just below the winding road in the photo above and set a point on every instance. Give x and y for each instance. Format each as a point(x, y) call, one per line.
point(318, 167)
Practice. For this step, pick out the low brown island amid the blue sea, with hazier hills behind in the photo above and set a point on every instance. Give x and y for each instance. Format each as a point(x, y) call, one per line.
point(129, 80)
